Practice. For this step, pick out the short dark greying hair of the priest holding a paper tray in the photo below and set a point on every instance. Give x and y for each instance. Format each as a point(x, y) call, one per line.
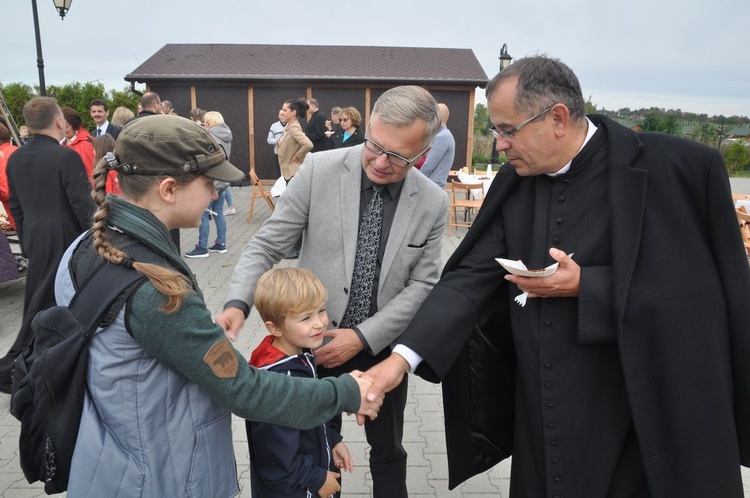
point(542, 82)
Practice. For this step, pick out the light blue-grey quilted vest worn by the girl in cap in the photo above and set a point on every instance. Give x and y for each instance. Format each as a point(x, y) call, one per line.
point(176, 442)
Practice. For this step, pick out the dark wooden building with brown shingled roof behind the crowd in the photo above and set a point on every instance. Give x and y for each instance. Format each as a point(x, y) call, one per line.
point(249, 83)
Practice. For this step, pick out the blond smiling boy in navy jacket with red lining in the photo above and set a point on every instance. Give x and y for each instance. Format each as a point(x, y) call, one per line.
point(289, 462)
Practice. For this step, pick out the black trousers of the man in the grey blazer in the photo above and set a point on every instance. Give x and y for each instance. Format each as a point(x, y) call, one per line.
point(385, 433)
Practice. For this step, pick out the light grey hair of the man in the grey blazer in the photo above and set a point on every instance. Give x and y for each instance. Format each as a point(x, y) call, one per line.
point(403, 105)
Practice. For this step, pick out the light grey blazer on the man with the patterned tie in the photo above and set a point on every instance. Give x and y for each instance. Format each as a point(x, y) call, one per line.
point(323, 202)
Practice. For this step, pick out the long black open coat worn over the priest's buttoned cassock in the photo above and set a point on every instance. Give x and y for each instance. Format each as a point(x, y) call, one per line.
point(680, 285)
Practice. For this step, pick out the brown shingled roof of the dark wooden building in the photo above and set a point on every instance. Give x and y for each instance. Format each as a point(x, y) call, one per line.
point(311, 63)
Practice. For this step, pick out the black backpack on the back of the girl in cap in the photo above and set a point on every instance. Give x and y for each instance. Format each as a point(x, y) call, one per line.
point(49, 377)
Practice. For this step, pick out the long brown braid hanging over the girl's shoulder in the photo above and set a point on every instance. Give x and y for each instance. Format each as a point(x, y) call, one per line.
point(173, 284)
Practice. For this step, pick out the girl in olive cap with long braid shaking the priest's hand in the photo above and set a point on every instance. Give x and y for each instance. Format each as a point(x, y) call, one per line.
point(162, 378)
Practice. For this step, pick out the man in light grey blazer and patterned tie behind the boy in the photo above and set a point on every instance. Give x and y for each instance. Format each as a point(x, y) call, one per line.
point(326, 202)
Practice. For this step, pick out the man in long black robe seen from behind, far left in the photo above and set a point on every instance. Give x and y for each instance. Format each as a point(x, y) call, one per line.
point(50, 200)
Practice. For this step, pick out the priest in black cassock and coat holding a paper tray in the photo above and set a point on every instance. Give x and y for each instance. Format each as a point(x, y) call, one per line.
point(626, 373)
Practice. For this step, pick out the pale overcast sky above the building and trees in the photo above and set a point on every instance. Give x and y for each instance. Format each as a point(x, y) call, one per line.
point(674, 54)
